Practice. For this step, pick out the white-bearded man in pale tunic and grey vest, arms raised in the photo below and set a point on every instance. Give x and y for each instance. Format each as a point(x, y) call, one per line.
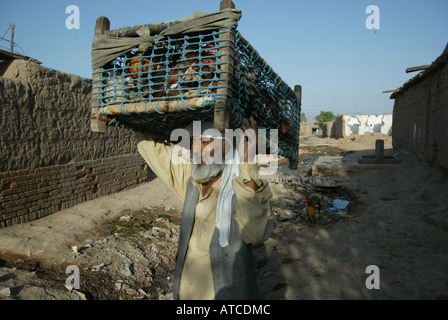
point(226, 210)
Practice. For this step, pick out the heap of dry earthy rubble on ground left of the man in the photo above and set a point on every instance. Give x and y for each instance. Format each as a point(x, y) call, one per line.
point(134, 254)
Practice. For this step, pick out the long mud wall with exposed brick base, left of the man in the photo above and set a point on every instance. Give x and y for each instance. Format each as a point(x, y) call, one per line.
point(50, 160)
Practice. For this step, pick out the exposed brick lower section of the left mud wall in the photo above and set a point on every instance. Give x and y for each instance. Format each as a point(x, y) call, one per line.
point(29, 194)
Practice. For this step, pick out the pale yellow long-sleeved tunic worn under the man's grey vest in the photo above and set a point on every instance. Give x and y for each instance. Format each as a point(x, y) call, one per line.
point(252, 214)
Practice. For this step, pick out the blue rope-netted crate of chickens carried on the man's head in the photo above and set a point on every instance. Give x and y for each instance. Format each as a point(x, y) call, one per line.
point(186, 74)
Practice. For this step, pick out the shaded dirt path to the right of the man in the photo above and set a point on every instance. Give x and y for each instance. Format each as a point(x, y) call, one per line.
point(395, 221)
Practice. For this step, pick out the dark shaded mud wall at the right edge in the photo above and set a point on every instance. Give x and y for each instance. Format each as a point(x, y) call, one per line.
point(421, 118)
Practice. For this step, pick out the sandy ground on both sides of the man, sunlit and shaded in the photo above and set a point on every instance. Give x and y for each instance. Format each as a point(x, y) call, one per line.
point(397, 221)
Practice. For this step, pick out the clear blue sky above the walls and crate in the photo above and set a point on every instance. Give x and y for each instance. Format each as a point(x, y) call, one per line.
point(323, 45)
